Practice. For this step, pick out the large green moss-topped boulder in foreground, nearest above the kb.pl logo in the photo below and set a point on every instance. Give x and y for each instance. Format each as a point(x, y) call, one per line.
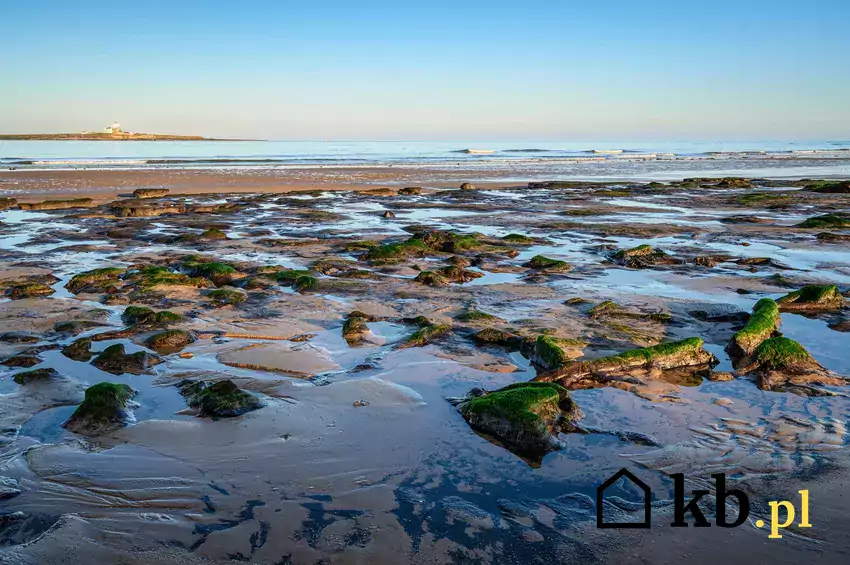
point(525, 416)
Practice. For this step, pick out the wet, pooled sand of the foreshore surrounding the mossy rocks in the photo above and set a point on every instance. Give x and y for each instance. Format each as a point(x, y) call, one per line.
point(356, 456)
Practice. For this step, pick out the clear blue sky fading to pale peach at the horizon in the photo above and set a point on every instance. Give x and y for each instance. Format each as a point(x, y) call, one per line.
point(464, 69)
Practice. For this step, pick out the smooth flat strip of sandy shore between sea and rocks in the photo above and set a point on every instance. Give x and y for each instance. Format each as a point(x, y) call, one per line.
point(102, 184)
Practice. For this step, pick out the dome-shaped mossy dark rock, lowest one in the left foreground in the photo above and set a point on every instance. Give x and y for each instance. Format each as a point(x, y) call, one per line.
point(106, 407)
